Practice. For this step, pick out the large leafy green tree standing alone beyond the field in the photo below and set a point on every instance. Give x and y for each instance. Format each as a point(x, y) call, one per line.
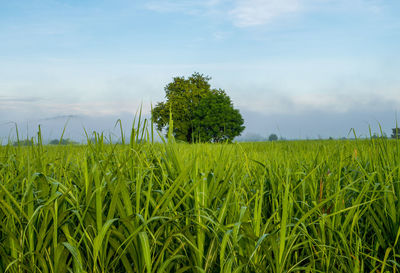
point(199, 112)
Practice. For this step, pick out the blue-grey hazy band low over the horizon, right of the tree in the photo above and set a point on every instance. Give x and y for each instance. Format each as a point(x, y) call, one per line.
point(315, 123)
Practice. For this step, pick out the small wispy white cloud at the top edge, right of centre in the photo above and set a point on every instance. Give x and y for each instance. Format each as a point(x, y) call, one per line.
point(259, 12)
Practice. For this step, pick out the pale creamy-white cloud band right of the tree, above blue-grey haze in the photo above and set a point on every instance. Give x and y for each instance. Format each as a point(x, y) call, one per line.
point(339, 99)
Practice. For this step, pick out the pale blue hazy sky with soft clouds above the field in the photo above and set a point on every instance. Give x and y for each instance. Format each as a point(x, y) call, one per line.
point(297, 68)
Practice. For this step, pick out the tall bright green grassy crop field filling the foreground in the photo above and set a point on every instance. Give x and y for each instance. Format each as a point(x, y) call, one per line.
point(286, 206)
